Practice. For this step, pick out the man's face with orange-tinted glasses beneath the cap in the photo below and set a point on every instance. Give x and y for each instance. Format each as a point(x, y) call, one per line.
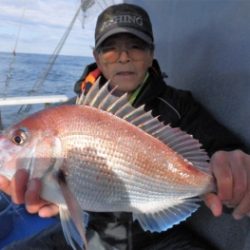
point(124, 60)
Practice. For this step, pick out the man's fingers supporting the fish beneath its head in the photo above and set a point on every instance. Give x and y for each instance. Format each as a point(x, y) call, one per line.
point(22, 190)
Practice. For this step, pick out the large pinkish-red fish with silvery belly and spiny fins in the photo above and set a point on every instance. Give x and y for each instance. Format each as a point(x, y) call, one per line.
point(104, 155)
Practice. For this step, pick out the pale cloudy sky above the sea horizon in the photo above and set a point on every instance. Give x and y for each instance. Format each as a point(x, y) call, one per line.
point(37, 26)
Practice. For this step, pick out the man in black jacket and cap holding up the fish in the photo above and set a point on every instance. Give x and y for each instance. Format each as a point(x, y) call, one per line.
point(124, 54)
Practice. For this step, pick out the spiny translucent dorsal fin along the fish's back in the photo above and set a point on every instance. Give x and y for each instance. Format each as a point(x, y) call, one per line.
point(181, 142)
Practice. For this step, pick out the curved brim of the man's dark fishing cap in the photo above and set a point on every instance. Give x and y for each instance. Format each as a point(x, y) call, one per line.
point(118, 30)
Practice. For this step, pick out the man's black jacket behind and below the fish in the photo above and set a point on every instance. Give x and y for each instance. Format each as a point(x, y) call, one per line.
point(179, 109)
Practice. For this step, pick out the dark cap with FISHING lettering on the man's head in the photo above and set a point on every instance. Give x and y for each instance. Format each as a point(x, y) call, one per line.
point(123, 18)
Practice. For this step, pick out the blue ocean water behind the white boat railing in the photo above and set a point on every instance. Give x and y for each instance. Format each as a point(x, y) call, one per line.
point(19, 74)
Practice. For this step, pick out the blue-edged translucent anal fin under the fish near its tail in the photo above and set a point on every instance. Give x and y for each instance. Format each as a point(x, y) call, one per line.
point(164, 219)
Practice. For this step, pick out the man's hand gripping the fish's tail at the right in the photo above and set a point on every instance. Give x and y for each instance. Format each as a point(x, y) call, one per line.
point(232, 173)
